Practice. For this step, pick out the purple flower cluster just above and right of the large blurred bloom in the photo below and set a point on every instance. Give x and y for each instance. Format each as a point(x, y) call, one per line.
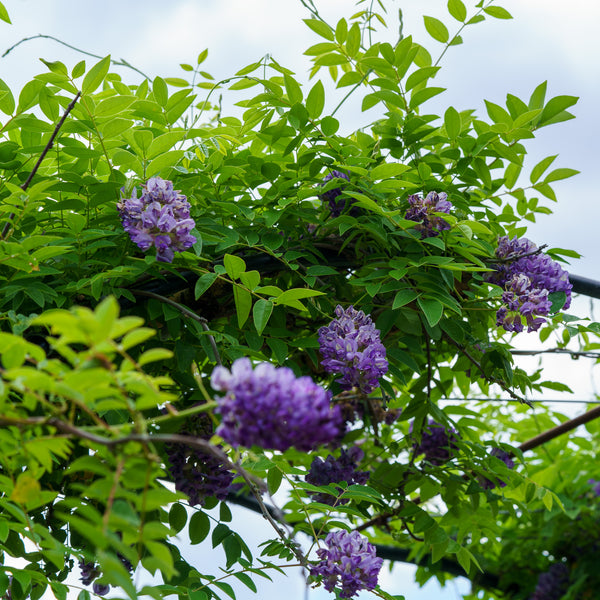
point(350, 345)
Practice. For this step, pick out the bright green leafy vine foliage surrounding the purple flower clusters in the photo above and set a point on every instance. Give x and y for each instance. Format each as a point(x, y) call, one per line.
point(106, 354)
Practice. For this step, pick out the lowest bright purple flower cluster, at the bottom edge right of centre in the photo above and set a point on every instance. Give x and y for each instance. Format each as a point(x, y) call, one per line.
point(349, 562)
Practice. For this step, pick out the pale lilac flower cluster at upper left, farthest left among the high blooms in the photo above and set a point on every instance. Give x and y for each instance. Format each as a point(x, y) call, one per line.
point(160, 218)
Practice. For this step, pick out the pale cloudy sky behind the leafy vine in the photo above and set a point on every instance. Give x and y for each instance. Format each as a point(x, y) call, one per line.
point(548, 40)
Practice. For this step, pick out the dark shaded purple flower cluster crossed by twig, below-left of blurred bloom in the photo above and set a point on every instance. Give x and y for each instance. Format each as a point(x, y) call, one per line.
point(195, 473)
